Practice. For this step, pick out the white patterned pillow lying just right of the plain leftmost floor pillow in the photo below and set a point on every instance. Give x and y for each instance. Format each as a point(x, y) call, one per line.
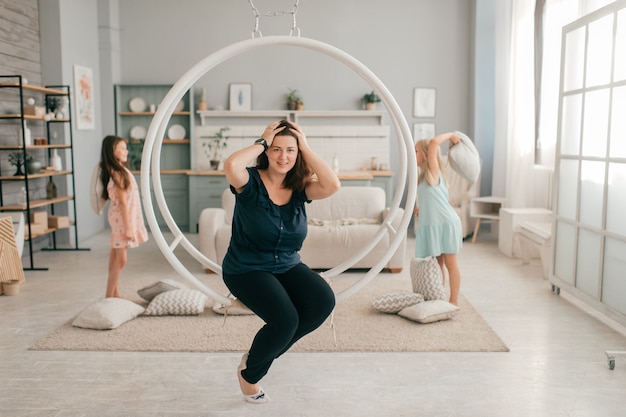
point(181, 302)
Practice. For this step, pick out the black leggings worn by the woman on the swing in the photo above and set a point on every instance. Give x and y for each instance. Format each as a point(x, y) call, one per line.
point(291, 304)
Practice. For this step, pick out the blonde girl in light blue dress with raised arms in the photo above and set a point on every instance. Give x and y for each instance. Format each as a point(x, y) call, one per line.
point(439, 227)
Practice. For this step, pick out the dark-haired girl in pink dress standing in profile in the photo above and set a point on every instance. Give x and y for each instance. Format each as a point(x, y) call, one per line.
point(125, 218)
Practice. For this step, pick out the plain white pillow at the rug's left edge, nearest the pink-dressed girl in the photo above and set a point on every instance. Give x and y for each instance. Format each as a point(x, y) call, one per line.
point(107, 314)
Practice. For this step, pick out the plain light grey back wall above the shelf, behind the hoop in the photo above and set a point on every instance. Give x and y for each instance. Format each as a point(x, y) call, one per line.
point(406, 43)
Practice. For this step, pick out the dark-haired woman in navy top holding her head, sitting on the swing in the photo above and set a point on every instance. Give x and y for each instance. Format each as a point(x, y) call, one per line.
point(262, 266)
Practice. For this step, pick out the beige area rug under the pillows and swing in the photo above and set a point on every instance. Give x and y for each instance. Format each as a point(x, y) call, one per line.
point(358, 327)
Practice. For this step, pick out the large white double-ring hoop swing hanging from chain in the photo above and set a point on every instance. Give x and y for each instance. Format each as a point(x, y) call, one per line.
point(154, 140)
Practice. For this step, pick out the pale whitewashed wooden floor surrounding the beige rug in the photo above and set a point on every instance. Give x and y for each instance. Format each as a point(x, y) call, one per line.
point(556, 365)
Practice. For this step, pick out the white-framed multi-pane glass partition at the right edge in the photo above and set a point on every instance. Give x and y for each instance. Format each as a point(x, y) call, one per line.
point(590, 208)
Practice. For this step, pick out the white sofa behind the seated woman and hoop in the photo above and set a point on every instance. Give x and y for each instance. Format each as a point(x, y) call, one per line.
point(339, 226)
